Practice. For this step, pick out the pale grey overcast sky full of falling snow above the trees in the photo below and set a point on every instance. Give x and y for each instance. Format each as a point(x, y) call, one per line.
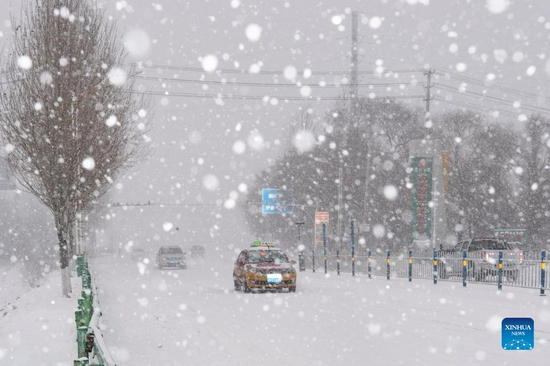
point(205, 147)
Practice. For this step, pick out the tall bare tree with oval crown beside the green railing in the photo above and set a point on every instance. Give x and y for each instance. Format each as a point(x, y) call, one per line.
point(70, 117)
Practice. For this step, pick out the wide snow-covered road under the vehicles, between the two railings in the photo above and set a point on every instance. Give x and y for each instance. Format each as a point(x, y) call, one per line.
point(194, 317)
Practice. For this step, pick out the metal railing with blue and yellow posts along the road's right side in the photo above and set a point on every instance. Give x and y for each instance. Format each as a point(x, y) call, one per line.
point(529, 271)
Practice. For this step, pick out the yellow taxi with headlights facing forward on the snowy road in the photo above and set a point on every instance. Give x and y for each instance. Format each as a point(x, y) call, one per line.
point(264, 267)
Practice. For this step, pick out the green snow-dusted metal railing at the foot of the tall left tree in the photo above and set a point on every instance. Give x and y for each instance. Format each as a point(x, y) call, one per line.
point(90, 344)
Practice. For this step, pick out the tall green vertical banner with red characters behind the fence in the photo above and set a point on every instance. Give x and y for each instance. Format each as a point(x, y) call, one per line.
point(421, 196)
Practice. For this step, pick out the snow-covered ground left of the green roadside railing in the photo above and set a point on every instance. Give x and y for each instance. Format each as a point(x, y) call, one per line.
point(37, 326)
